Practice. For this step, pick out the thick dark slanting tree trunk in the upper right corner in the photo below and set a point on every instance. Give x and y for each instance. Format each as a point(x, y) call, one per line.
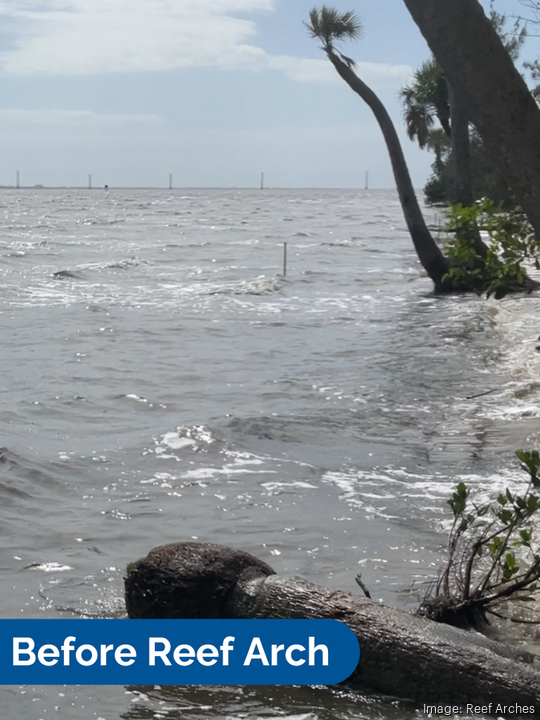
point(497, 99)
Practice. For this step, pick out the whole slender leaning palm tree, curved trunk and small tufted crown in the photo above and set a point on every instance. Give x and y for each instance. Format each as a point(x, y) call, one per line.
point(330, 27)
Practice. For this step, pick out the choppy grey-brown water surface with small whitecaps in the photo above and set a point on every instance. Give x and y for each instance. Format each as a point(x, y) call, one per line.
point(162, 381)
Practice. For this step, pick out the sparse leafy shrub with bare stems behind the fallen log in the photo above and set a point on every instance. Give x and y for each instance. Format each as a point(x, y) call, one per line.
point(493, 548)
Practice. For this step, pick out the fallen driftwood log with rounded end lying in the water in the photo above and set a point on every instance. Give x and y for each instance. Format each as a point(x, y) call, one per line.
point(402, 656)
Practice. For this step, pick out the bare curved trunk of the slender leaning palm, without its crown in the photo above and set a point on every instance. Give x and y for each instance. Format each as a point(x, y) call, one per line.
point(429, 254)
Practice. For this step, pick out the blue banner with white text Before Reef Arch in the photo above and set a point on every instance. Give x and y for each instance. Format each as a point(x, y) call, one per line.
point(176, 652)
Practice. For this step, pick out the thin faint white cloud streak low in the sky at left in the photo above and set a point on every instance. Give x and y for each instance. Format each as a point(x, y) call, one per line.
point(55, 117)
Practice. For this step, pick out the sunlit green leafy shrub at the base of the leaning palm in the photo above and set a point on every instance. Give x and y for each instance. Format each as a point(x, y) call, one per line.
point(511, 242)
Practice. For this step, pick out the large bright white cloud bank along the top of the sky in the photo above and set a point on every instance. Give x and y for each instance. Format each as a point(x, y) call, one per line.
point(94, 37)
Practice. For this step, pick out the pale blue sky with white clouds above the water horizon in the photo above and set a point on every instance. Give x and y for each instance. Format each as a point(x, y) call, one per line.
point(214, 92)
